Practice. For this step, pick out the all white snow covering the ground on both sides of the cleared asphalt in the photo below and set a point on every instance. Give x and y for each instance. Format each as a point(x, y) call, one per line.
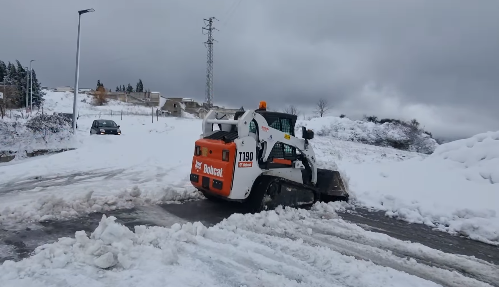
point(455, 189)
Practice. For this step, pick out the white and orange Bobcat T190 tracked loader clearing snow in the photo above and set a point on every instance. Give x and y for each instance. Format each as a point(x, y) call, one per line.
point(256, 159)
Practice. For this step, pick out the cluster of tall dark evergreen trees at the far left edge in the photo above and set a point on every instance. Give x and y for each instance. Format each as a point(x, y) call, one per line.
point(17, 76)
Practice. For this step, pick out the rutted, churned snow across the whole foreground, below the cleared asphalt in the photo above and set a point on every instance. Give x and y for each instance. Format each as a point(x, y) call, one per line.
point(286, 247)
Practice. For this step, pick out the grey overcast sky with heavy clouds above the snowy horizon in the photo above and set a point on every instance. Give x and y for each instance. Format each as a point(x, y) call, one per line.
point(433, 60)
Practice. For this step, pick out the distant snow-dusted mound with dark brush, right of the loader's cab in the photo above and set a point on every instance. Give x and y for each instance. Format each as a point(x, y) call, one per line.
point(389, 134)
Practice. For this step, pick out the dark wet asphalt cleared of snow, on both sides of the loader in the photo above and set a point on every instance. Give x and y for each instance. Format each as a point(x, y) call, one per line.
point(17, 242)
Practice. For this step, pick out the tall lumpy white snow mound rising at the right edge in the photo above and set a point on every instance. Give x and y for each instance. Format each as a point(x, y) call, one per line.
point(478, 155)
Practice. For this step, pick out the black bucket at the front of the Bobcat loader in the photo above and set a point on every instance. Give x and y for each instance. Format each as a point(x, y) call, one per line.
point(331, 186)
